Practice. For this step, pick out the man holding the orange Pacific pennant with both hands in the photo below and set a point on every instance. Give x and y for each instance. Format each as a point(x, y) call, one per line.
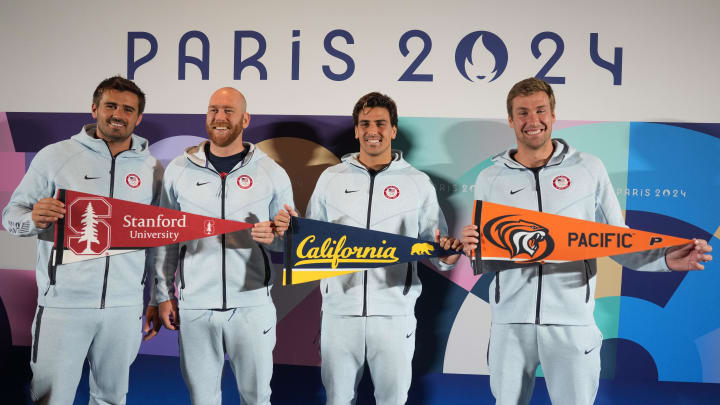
point(543, 314)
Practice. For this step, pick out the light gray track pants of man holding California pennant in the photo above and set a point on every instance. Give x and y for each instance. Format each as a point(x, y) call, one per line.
point(386, 342)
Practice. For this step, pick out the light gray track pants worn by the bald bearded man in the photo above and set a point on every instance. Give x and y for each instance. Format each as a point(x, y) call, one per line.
point(246, 334)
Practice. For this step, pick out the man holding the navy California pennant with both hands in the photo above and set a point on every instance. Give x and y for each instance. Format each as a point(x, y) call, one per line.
point(370, 315)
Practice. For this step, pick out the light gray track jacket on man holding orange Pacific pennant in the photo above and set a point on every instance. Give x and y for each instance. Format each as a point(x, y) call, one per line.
point(573, 184)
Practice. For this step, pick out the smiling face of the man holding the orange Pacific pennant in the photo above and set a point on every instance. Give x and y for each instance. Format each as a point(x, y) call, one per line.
point(532, 119)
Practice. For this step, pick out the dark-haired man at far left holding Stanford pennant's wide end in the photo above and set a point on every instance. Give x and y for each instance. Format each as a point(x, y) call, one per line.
point(89, 309)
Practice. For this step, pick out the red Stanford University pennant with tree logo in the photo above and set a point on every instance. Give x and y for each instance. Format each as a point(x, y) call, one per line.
point(96, 226)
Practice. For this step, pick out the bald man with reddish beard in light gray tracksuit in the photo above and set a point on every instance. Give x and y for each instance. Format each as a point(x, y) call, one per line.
point(224, 281)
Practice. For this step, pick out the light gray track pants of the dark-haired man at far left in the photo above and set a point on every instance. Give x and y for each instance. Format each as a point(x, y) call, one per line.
point(63, 337)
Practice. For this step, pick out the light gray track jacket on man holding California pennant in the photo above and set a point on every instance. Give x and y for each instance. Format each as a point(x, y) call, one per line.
point(398, 199)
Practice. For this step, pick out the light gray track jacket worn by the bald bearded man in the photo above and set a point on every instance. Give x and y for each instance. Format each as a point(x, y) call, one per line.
point(229, 270)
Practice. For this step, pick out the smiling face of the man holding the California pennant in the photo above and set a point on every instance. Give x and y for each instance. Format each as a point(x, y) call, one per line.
point(375, 134)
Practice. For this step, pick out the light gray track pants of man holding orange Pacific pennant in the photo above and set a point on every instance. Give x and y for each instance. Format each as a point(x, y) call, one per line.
point(570, 358)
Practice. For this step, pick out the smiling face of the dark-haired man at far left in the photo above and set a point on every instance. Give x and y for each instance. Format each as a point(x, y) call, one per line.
point(117, 114)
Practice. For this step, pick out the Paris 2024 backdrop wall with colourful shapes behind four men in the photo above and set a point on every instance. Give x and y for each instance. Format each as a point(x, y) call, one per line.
point(635, 85)
